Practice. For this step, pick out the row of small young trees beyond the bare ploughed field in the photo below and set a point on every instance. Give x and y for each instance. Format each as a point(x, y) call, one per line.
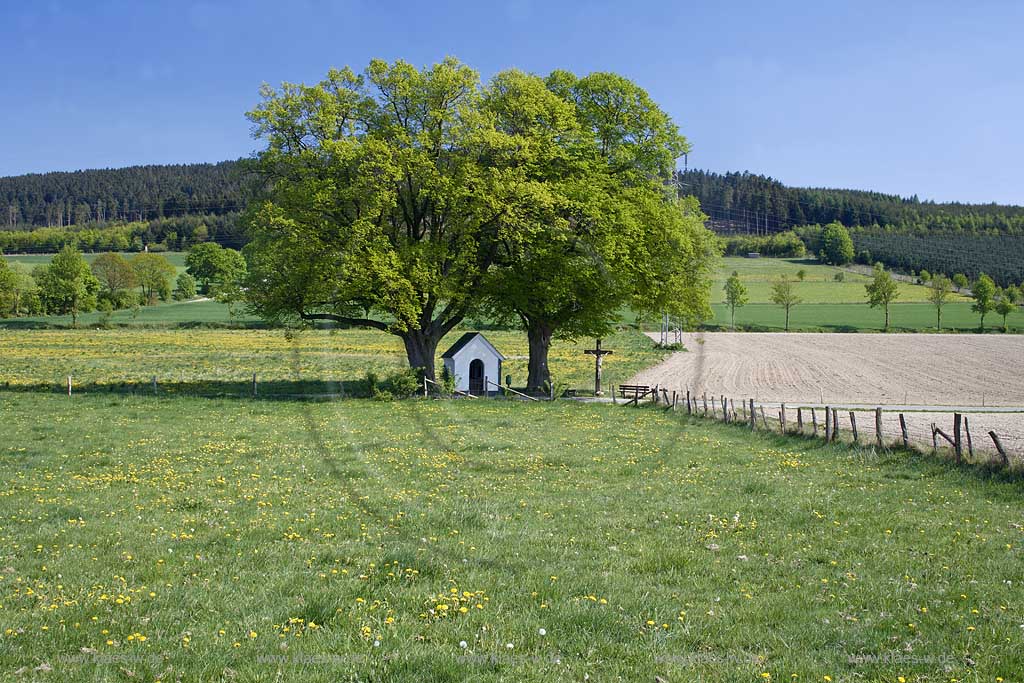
point(883, 291)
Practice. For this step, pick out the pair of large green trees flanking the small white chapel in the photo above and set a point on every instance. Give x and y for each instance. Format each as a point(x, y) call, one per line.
point(404, 200)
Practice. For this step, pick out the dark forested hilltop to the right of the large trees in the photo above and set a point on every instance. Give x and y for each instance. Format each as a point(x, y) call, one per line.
point(745, 202)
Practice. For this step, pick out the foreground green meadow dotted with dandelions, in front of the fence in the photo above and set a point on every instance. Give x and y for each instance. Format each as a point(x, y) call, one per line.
point(198, 540)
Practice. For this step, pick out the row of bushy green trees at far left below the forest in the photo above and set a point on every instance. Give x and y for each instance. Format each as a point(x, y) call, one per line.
point(70, 285)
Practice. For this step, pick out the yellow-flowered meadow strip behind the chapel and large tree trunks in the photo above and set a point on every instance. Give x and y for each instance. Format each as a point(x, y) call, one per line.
point(211, 362)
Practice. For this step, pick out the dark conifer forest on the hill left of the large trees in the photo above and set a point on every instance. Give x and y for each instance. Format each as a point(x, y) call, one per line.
point(133, 194)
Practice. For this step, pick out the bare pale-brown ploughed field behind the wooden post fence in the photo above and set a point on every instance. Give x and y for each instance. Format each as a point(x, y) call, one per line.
point(963, 372)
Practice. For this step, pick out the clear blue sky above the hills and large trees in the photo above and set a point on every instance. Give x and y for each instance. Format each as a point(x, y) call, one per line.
point(905, 98)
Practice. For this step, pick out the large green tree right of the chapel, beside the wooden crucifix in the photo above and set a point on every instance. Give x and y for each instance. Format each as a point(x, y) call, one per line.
point(596, 229)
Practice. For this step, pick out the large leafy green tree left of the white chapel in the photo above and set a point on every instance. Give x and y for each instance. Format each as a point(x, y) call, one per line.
point(382, 203)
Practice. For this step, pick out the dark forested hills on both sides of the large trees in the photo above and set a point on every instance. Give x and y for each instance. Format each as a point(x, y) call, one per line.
point(736, 202)
